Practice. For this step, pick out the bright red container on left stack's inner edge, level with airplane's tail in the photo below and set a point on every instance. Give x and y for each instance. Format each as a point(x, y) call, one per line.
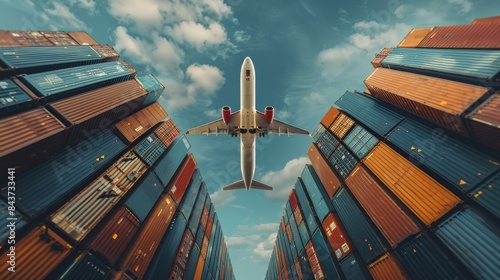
point(178, 185)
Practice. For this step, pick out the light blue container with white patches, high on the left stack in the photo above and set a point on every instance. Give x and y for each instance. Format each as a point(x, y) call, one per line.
point(57, 84)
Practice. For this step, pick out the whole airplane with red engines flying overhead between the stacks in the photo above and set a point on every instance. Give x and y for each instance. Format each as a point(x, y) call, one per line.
point(247, 123)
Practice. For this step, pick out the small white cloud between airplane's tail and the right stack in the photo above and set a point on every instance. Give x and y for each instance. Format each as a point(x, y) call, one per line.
point(283, 180)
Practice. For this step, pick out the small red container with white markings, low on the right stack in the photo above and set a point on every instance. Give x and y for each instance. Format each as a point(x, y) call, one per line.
point(337, 236)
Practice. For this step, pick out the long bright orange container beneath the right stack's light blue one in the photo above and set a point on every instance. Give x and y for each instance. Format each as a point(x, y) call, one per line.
point(412, 92)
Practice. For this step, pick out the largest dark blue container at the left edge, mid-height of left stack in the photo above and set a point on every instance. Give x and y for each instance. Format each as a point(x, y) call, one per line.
point(50, 181)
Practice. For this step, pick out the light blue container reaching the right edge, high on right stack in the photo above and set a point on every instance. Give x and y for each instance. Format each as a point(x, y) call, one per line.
point(474, 63)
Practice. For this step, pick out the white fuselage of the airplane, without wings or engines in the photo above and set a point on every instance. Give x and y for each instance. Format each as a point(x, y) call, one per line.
point(247, 121)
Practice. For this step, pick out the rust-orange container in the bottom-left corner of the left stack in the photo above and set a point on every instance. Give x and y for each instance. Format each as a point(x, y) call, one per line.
point(36, 255)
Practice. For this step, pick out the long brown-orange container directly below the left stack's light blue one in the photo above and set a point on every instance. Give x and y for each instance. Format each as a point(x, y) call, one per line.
point(99, 108)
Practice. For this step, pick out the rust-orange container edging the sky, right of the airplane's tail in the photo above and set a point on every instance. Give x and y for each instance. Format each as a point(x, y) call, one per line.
point(330, 180)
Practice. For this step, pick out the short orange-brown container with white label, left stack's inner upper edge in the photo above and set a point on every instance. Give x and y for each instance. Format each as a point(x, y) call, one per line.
point(135, 125)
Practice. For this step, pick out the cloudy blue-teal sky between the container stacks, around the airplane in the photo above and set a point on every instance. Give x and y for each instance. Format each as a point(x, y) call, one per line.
point(306, 55)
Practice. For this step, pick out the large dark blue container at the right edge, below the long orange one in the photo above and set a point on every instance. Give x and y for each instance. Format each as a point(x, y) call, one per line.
point(459, 164)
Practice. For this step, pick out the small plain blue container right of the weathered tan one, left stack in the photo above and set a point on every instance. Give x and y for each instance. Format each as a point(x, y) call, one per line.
point(145, 196)
